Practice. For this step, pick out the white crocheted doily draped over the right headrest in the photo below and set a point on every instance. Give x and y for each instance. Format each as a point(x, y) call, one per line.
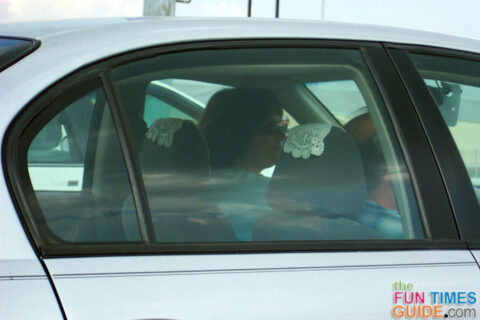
point(307, 139)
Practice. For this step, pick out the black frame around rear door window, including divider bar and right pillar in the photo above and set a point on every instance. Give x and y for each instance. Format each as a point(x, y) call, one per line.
point(435, 211)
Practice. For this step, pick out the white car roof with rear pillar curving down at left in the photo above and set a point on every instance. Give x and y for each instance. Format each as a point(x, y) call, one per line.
point(68, 45)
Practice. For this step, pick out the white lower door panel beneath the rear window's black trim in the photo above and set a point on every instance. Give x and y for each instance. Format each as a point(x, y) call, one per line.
point(348, 285)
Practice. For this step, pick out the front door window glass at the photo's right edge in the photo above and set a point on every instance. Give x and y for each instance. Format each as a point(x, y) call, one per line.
point(455, 86)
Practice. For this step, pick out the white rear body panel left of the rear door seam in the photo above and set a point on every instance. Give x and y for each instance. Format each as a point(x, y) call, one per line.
point(25, 290)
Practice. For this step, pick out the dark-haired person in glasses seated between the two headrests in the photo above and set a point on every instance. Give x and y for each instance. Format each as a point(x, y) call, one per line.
point(244, 131)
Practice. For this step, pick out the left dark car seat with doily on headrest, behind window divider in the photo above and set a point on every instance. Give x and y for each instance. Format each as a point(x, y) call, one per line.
point(174, 162)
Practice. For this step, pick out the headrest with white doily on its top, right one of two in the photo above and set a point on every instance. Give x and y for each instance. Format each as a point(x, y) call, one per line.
point(320, 171)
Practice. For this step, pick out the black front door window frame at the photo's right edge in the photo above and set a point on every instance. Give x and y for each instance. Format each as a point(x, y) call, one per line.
point(452, 168)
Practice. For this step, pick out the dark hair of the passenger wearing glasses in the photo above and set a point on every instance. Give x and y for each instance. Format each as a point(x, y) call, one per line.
point(231, 119)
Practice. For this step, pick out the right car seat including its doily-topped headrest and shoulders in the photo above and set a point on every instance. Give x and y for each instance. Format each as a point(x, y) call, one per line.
point(317, 187)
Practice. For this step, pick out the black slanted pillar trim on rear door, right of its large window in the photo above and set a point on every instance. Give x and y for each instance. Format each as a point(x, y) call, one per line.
point(434, 208)
